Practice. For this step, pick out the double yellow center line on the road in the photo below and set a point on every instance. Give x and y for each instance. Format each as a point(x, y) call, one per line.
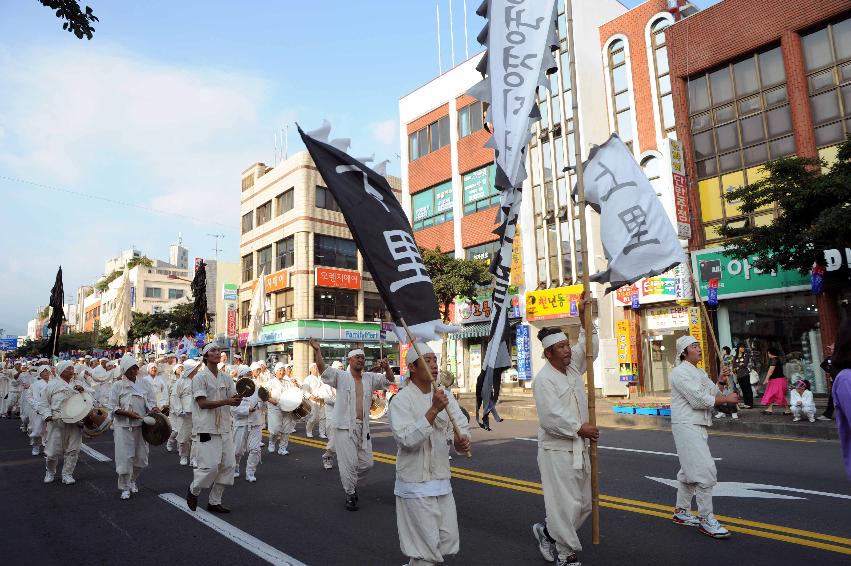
point(766, 530)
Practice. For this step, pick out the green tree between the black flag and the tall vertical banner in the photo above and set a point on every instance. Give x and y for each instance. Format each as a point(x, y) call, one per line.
point(453, 278)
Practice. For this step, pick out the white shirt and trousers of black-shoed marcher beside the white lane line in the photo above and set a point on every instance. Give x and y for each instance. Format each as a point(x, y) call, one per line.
point(214, 431)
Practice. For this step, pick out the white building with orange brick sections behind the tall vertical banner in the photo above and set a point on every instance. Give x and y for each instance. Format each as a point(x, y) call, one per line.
point(449, 193)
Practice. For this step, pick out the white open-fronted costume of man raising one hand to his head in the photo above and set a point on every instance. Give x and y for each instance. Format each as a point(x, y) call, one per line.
point(352, 441)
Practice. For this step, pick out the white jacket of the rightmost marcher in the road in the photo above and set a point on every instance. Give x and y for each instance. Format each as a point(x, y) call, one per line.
point(692, 395)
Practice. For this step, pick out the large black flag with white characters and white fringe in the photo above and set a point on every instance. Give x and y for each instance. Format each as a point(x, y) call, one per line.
point(383, 236)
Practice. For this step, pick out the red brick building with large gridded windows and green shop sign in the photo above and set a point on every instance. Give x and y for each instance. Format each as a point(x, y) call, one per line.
point(752, 81)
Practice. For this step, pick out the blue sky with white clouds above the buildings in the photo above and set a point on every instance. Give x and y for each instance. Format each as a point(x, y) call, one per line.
point(143, 132)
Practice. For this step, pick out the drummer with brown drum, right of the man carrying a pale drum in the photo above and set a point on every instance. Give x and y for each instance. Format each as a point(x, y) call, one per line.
point(129, 401)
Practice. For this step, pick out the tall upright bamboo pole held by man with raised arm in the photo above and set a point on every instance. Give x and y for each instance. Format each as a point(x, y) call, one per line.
point(586, 282)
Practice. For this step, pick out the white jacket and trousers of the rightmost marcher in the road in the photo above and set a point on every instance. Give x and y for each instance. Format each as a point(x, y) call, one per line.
point(692, 400)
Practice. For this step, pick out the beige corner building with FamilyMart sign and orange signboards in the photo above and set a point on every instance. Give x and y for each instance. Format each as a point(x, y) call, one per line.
point(295, 236)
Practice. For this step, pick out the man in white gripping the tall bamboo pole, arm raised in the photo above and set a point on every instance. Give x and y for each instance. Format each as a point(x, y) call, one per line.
point(563, 438)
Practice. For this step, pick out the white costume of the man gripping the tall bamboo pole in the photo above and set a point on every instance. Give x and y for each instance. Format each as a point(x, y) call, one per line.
point(562, 406)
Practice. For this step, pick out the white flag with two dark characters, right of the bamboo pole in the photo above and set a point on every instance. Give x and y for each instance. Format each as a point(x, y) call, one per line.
point(639, 239)
